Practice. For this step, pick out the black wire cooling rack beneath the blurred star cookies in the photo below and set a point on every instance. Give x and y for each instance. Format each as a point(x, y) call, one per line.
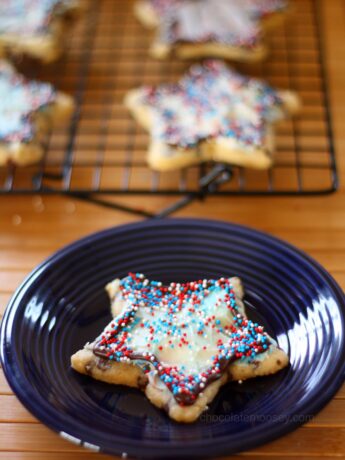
point(103, 151)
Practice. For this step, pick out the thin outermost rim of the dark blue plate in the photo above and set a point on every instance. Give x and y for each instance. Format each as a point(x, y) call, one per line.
point(152, 449)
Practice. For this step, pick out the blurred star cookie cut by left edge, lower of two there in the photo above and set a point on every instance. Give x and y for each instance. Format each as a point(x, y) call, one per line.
point(28, 109)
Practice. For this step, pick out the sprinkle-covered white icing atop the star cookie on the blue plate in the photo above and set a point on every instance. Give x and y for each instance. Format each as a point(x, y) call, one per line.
point(187, 333)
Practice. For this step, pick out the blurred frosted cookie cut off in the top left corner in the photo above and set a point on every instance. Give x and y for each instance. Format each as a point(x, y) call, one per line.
point(35, 27)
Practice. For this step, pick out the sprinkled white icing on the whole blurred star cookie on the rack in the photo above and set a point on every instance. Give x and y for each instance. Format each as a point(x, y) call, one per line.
point(213, 101)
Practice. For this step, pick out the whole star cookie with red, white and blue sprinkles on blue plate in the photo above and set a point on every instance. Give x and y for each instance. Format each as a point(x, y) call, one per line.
point(179, 343)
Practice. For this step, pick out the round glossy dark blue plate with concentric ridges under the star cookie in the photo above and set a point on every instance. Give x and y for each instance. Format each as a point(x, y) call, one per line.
point(62, 304)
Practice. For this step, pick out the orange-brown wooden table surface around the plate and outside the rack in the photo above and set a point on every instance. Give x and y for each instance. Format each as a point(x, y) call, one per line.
point(32, 228)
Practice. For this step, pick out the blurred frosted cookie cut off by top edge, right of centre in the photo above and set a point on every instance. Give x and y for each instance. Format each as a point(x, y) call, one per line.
point(230, 29)
